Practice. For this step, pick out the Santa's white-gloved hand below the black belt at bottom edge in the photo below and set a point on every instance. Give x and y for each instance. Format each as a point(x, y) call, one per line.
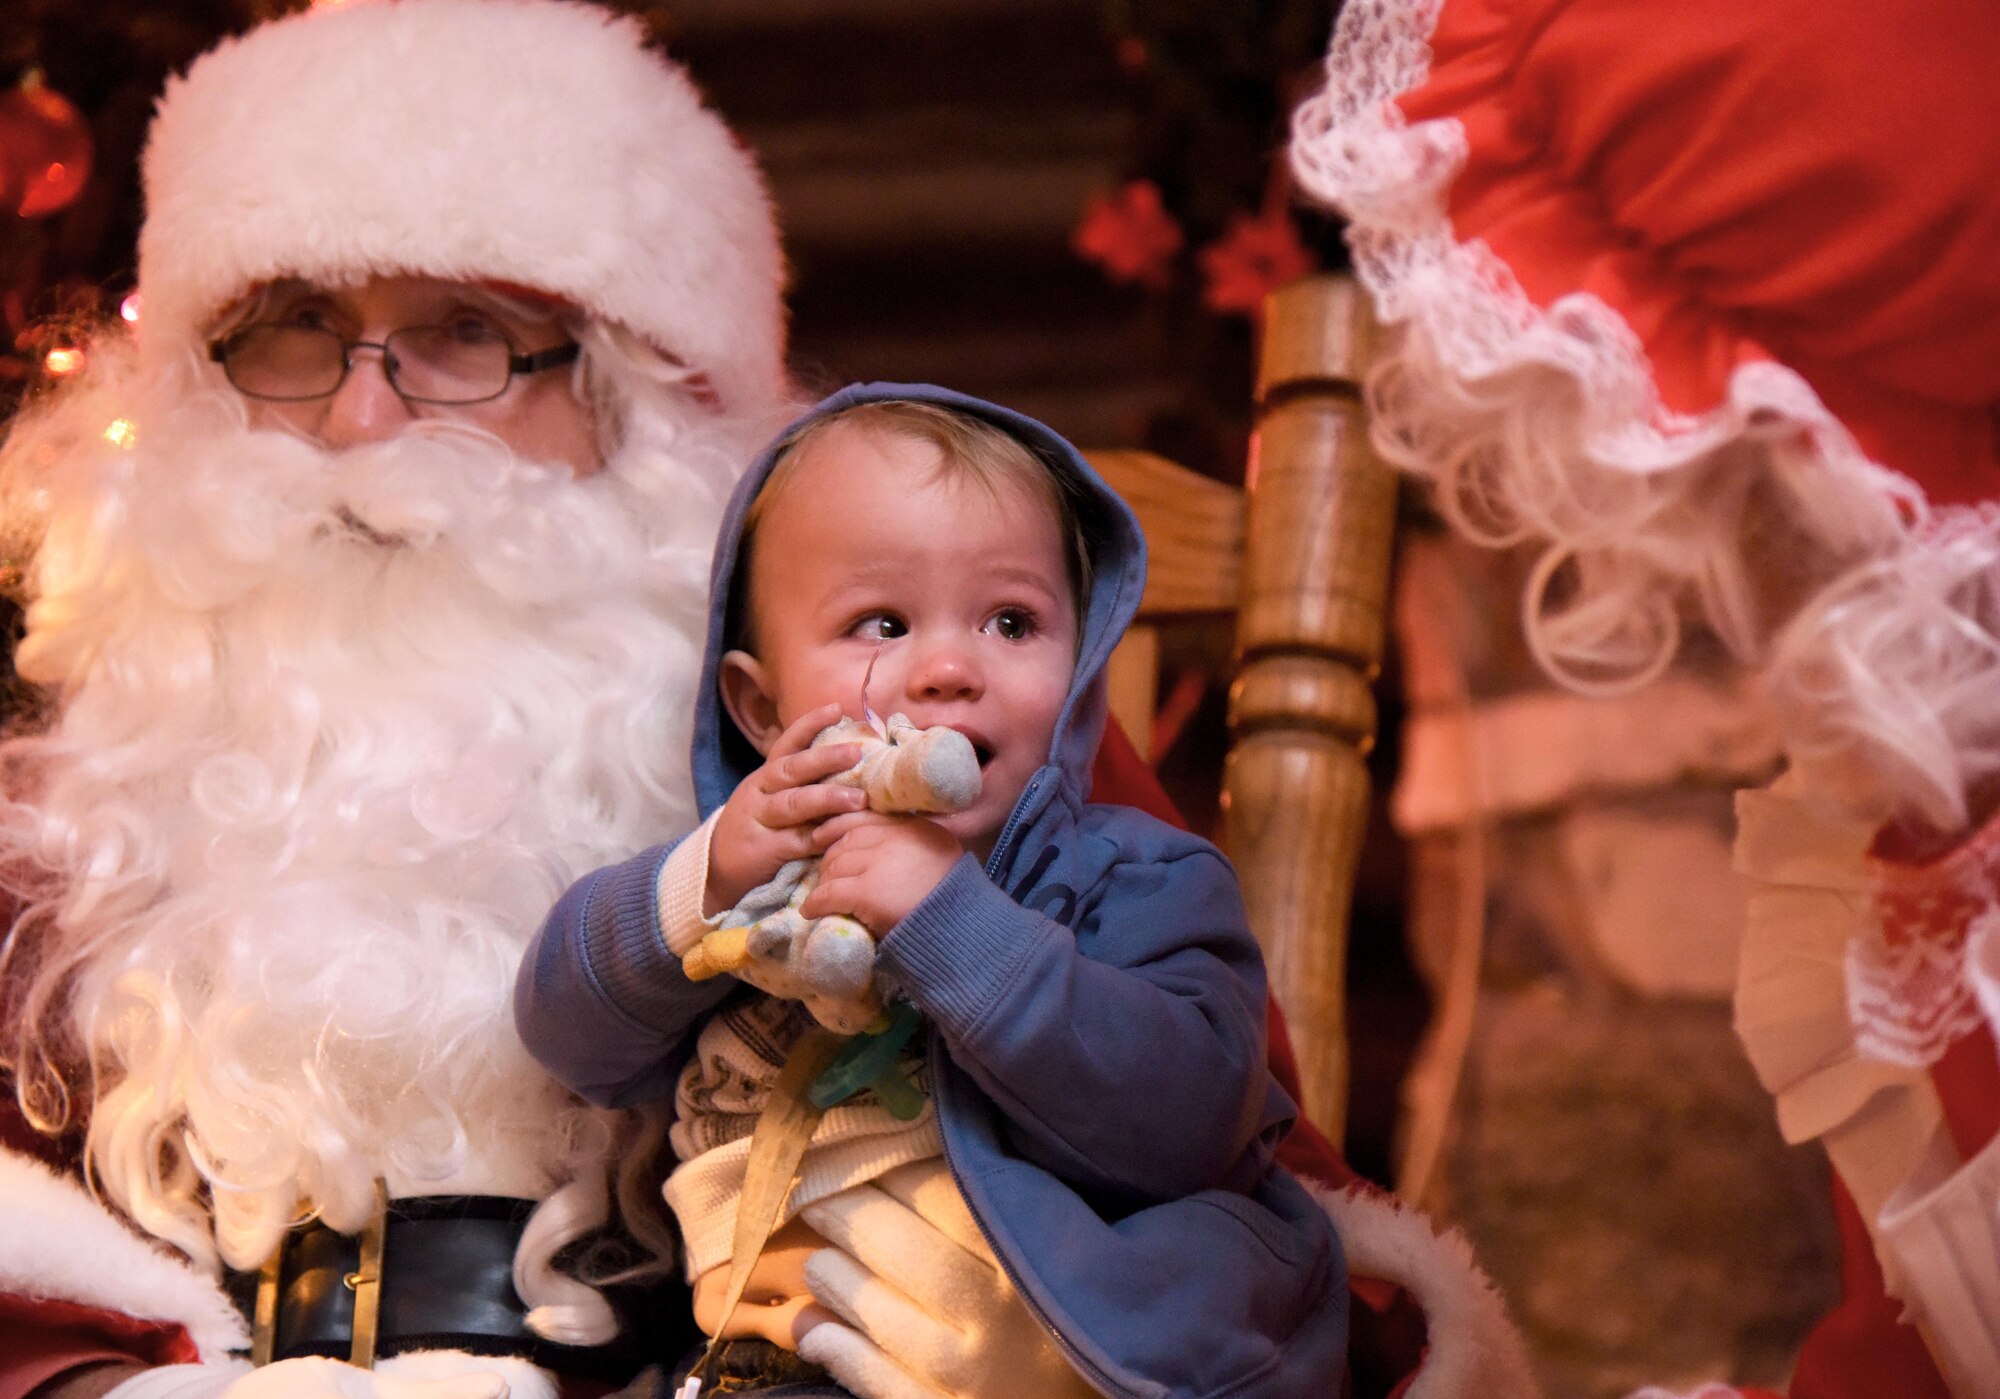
point(313, 1378)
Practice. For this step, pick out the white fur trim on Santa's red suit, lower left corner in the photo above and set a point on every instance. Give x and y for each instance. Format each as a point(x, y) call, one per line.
point(59, 1244)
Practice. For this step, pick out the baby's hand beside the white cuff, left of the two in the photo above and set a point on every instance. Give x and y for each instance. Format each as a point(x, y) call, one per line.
point(775, 810)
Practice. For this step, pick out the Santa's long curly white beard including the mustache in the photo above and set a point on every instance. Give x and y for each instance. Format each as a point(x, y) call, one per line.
point(335, 732)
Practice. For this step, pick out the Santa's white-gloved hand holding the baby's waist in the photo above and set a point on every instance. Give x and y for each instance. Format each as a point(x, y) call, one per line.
point(925, 1308)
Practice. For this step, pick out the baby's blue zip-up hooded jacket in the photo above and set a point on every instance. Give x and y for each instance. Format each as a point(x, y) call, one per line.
point(1099, 1060)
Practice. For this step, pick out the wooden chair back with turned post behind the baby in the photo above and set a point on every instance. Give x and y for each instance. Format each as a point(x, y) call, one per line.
point(1301, 557)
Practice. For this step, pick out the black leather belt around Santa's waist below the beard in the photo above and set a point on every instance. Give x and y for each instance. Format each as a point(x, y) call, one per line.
point(449, 1284)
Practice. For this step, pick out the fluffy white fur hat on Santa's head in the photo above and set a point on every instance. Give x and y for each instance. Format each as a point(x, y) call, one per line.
point(533, 143)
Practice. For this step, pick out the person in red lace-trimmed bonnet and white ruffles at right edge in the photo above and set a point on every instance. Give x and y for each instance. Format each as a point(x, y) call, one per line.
point(1703, 299)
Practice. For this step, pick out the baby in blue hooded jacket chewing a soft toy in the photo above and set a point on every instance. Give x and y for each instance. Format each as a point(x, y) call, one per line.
point(1093, 1066)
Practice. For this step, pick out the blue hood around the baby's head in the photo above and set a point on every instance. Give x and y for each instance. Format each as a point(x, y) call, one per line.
point(723, 756)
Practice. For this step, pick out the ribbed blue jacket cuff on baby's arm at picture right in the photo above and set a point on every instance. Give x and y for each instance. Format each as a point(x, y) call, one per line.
point(963, 946)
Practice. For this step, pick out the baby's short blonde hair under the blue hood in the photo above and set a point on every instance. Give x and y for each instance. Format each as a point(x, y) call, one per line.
point(969, 449)
